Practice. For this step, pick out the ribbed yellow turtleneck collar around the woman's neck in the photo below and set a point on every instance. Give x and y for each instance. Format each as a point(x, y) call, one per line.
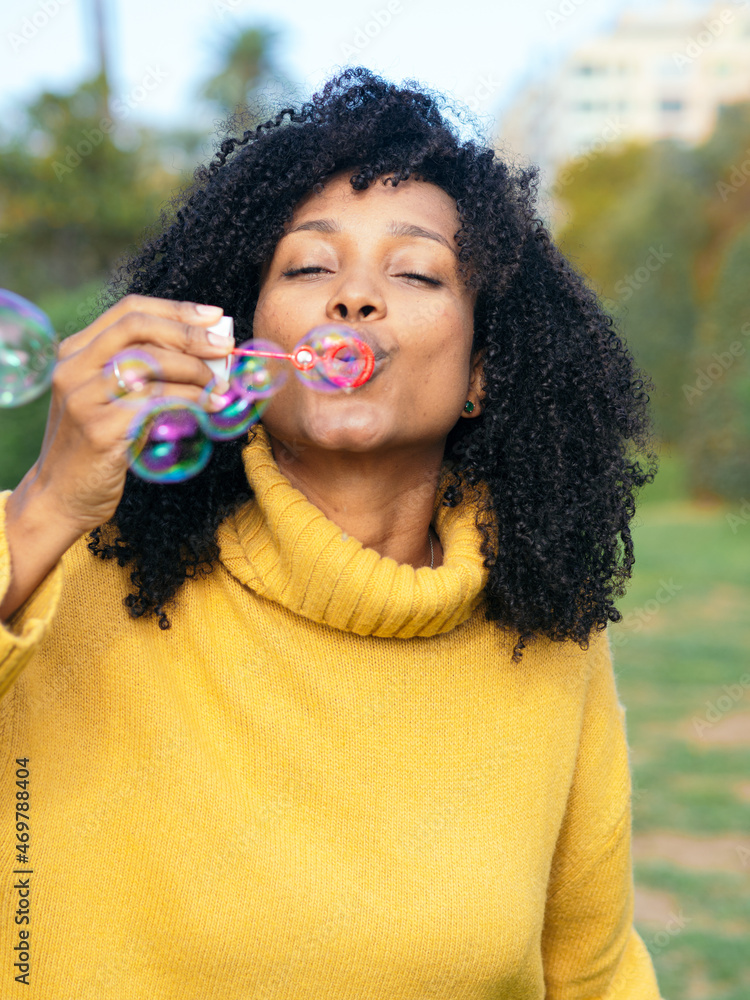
point(285, 549)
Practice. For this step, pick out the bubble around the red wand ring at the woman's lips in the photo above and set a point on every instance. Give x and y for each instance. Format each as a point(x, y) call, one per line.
point(331, 357)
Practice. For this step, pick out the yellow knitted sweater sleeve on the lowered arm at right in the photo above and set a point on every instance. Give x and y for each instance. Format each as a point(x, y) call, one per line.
point(590, 948)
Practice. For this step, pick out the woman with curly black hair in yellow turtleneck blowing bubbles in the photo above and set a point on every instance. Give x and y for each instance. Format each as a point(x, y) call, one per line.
point(375, 748)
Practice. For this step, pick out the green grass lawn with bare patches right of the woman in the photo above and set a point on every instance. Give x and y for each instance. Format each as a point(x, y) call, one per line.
point(680, 655)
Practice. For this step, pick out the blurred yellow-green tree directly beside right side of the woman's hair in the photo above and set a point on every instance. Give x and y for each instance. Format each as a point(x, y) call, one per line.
point(629, 212)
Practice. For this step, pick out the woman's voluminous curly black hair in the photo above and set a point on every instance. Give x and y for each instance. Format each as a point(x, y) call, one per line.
point(565, 416)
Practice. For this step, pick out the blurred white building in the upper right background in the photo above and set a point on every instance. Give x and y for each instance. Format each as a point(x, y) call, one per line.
point(660, 74)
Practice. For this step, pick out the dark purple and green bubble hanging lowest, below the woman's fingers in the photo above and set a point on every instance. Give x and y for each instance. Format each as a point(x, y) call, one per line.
point(169, 442)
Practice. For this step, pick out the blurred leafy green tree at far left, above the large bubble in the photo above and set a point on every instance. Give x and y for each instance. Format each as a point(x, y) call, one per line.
point(76, 189)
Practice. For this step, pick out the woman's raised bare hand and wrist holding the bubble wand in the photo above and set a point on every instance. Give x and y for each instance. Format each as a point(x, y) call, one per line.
point(78, 479)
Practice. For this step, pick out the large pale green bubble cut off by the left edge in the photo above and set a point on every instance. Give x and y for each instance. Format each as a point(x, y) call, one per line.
point(28, 350)
